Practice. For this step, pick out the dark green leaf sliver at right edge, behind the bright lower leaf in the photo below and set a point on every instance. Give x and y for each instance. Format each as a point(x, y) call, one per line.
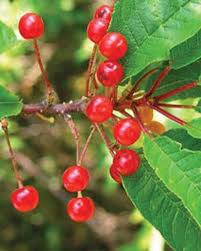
point(187, 141)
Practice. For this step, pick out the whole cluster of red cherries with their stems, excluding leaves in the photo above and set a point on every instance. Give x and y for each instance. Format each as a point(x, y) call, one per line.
point(99, 109)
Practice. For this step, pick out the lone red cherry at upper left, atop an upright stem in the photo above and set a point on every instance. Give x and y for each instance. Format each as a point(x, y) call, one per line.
point(31, 26)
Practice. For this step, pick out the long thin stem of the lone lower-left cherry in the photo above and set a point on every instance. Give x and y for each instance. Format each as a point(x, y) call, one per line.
point(4, 126)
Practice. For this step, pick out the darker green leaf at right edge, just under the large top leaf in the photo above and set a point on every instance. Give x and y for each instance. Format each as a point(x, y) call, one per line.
point(187, 52)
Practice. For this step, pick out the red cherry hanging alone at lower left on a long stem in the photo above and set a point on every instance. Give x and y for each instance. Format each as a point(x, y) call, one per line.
point(25, 199)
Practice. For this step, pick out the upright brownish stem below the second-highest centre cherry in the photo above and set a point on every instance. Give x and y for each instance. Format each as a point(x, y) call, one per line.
point(90, 71)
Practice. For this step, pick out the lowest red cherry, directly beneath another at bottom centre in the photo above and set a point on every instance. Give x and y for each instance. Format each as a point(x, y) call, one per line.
point(81, 209)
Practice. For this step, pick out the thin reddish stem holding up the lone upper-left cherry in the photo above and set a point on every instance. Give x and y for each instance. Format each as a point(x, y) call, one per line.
point(47, 83)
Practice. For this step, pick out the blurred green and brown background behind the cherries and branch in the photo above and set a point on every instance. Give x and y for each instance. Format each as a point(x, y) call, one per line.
point(45, 150)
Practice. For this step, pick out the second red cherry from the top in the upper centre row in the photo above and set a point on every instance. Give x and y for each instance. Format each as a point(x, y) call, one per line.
point(97, 29)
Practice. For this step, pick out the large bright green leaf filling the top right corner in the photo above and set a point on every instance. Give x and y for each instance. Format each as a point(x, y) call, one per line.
point(154, 27)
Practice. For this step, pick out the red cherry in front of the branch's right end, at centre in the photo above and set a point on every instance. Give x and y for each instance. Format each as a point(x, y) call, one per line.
point(99, 109)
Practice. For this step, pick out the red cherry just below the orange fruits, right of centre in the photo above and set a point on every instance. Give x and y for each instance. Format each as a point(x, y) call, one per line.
point(127, 131)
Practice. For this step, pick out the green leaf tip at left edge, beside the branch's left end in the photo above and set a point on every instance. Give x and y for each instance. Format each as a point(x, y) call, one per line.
point(9, 103)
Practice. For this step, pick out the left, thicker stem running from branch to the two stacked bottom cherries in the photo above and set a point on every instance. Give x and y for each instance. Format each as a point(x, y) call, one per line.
point(75, 133)
